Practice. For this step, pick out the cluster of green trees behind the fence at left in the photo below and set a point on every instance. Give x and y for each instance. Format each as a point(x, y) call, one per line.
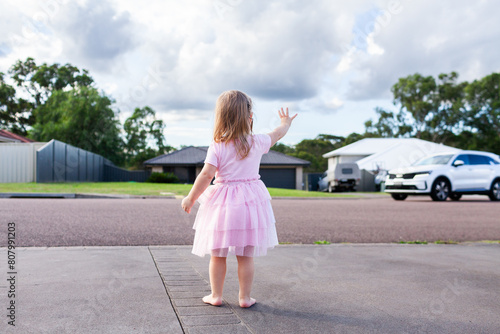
point(61, 102)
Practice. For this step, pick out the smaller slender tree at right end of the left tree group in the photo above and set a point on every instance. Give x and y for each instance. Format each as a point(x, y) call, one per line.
point(143, 131)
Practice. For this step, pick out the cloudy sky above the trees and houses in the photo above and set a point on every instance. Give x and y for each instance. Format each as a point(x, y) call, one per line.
point(333, 62)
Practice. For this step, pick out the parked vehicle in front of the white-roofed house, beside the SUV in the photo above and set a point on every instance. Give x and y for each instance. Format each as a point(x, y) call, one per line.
point(345, 176)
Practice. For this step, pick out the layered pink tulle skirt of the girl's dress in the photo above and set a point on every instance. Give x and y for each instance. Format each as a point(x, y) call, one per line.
point(235, 217)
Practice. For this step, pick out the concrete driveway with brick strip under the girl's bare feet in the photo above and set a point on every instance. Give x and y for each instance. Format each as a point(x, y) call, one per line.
point(354, 288)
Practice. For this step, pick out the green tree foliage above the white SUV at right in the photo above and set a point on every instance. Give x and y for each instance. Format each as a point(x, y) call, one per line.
point(461, 114)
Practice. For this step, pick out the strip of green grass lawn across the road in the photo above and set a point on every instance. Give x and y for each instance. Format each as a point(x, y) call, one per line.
point(138, 188)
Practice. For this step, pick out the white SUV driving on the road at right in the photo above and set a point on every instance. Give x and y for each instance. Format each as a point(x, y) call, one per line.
point(448, 175)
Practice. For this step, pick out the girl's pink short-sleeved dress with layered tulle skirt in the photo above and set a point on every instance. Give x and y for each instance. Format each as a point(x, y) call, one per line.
point(235, 214)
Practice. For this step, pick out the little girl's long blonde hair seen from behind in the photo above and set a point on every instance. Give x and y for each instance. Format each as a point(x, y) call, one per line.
point(232, 112)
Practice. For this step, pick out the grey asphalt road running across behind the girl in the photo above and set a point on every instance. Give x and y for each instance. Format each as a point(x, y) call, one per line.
point(111, 222)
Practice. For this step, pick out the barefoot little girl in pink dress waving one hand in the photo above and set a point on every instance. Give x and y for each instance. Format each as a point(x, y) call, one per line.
point(235, 214)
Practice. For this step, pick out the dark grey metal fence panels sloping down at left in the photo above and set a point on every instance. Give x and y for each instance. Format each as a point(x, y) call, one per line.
point(61, 162)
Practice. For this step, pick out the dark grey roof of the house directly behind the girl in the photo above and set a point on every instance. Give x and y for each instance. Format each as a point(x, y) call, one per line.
point(195, 155)
